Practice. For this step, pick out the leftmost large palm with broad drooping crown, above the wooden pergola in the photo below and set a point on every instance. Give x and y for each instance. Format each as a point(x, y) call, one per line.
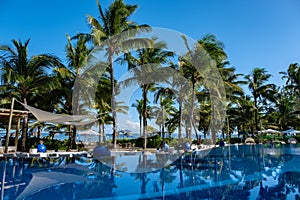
point(25, 77)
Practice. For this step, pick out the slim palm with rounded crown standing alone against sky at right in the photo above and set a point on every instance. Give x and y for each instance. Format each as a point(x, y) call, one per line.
point(261, 92)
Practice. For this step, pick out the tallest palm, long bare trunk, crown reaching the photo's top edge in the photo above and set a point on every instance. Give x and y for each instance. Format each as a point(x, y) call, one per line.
point(108, 32)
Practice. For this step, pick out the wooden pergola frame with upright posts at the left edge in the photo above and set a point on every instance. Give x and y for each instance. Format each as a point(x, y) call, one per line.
point(10, 114)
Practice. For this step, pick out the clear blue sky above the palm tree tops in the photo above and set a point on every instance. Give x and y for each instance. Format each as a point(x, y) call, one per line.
point(256, 33)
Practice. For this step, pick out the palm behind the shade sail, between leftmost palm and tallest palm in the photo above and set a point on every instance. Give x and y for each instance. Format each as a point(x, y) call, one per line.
point(77, 56)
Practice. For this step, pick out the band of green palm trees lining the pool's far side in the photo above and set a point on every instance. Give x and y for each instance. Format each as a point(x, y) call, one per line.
point(45, 82)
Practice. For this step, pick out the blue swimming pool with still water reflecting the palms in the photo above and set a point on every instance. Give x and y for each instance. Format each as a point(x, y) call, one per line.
point(237, 171)
